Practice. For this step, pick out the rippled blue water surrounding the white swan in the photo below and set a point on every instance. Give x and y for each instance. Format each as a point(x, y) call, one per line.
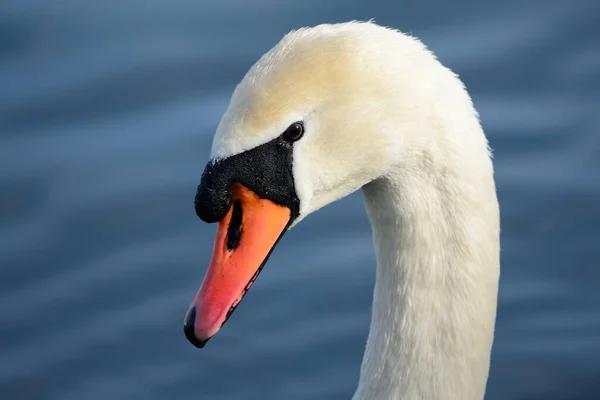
point(107, 110)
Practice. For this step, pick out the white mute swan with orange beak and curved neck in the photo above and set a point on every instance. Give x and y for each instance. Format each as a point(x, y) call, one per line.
point(340, 107)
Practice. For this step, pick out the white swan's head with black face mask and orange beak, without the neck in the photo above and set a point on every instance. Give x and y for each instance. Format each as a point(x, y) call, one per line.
point(326, 111)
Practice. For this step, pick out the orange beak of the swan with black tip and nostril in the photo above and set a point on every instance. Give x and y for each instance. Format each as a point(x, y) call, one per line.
point(245, 238)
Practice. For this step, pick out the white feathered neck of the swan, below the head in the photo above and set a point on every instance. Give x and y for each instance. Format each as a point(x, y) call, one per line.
point(434, 303)
